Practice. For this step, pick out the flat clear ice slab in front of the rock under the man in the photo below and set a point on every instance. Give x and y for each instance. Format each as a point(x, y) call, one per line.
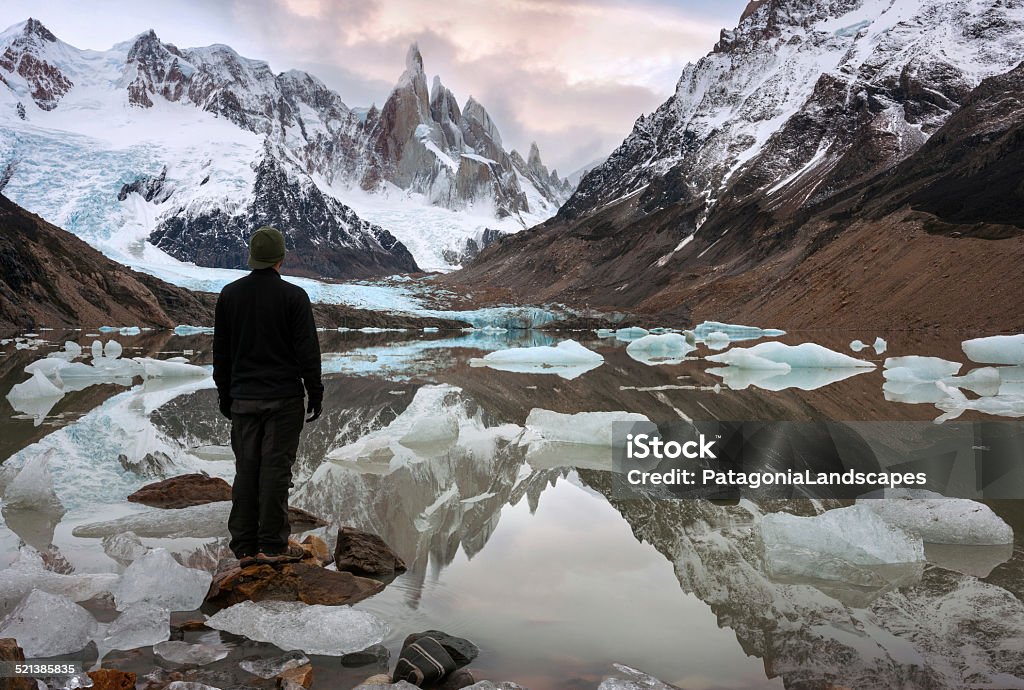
point(332, 631)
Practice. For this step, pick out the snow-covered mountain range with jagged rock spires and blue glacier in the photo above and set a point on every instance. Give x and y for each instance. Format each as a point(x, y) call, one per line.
point(231, 144)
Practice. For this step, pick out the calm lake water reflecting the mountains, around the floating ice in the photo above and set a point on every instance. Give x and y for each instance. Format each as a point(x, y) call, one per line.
point(526, 551)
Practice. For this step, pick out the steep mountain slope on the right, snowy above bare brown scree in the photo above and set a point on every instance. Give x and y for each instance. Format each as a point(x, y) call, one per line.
point(762, 187)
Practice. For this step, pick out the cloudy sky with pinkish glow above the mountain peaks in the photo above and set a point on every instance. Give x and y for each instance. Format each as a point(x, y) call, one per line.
point(572, 75)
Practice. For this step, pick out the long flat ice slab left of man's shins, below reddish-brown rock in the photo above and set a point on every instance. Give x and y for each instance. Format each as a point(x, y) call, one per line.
point(198, 522)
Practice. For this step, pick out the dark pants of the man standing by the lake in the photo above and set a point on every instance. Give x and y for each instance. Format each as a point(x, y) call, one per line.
point(265, 439)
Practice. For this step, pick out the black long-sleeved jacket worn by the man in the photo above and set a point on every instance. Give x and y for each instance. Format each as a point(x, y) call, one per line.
point(265, 340)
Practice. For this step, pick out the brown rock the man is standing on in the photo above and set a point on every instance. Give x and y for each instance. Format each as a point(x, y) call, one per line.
point(308, 583)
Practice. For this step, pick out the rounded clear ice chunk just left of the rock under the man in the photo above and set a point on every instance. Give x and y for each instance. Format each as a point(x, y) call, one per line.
point(157, 579)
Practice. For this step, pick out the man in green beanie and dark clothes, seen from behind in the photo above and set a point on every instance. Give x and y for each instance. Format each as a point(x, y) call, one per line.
point(266, 353)
